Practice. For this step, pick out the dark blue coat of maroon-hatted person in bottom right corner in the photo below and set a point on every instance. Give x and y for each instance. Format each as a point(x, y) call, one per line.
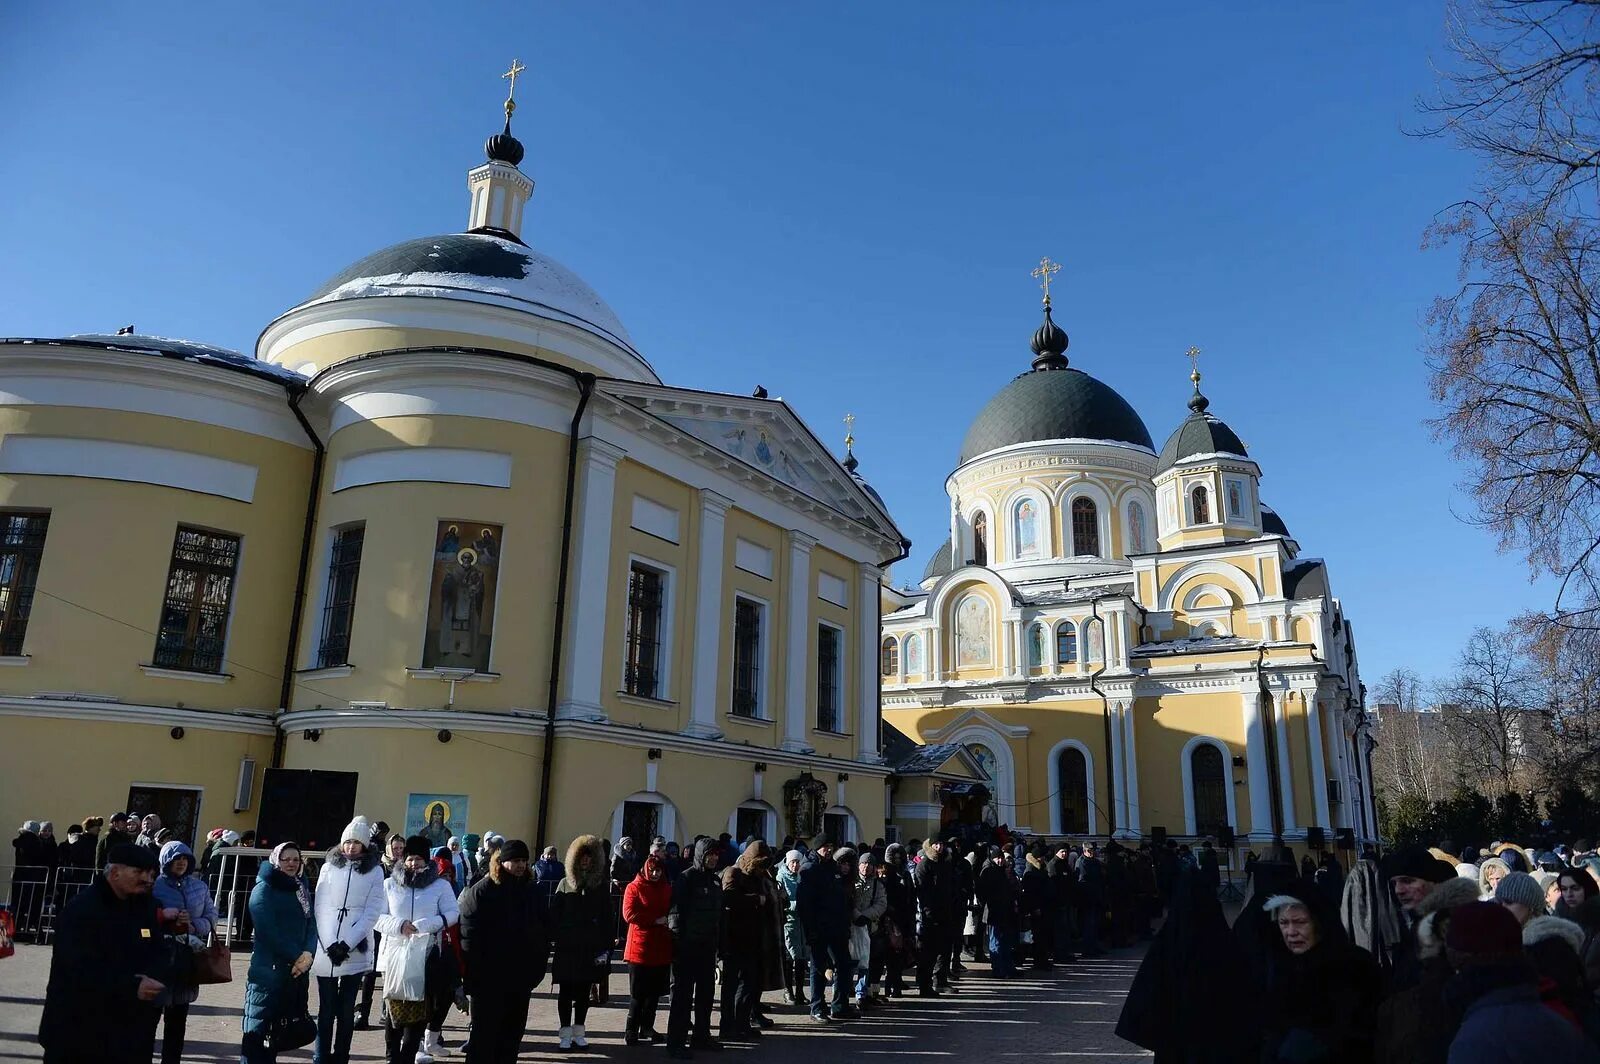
point(1505, 1023)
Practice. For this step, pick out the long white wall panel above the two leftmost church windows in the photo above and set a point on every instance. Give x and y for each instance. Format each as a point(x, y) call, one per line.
point(134, 463)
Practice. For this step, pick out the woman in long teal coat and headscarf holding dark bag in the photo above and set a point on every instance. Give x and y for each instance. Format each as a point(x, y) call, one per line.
point(282, 951)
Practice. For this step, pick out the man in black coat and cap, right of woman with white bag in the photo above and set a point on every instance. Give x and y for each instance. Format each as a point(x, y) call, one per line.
point(505, 943)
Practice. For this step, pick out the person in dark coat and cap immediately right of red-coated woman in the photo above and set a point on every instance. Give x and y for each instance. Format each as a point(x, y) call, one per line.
point(695, 922)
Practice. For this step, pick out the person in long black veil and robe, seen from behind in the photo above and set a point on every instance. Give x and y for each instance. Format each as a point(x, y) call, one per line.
point(1191, 977)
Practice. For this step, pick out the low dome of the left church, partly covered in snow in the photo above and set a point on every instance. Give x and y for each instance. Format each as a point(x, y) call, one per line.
point(479, 268)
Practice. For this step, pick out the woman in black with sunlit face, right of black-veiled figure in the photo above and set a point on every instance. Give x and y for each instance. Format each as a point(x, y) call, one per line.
point(1321, 991)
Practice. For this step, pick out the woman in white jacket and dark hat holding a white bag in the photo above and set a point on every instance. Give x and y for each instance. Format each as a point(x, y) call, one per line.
point(420, 902)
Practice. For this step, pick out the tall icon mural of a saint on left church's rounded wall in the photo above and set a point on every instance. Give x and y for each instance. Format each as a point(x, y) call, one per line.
point(462, 596)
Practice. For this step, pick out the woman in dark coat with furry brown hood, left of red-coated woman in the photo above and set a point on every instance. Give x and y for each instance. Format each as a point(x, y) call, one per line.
point(583, 932)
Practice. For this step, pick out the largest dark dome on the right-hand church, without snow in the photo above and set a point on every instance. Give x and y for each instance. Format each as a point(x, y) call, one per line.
point(1055, 406)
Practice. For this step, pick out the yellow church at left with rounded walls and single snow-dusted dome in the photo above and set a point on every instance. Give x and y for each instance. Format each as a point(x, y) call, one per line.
point(444, 546)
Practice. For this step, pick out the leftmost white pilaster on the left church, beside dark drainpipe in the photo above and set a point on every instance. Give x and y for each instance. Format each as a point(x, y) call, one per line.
point(591, 574)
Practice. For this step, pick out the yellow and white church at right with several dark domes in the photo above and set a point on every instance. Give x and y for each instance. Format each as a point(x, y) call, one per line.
point(1122, 641)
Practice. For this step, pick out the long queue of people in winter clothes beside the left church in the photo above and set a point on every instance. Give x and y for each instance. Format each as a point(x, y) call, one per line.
point(705, 934)
